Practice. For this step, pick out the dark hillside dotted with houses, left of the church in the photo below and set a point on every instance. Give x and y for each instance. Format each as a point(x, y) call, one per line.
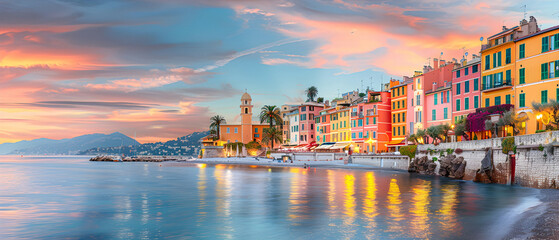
point(188, 145)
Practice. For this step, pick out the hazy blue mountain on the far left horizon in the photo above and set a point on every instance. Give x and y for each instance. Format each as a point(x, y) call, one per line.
point(66, 146)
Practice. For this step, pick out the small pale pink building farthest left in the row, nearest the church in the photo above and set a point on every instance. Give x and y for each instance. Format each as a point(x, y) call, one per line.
point(307, 129)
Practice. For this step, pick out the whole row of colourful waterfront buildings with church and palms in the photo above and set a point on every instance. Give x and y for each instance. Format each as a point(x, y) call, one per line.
point(507, 89)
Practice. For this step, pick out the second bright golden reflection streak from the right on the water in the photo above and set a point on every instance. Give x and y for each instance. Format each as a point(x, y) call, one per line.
point(420, 227)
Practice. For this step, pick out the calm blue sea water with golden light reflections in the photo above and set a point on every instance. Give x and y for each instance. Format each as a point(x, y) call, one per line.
point(69, 197)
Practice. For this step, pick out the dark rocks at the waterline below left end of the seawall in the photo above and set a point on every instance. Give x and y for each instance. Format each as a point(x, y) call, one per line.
point(450, 166)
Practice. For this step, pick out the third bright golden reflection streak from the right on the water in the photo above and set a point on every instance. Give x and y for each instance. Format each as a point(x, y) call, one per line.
point(394, 207)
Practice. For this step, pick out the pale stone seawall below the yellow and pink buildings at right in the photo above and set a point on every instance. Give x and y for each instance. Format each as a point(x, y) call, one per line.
point(536, 160)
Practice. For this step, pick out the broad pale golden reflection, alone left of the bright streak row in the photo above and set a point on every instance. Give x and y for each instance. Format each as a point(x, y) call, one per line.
point(298, 202)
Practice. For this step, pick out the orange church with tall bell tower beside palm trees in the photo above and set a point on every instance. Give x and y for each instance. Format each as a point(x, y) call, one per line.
point(245, 131)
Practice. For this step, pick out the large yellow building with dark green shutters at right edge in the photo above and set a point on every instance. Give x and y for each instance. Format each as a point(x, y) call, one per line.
point(537, 73)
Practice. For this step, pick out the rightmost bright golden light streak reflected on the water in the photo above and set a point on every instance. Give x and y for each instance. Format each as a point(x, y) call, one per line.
point(447, 212)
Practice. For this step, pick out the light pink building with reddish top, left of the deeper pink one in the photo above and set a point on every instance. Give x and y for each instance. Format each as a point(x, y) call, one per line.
point(438, 96)
